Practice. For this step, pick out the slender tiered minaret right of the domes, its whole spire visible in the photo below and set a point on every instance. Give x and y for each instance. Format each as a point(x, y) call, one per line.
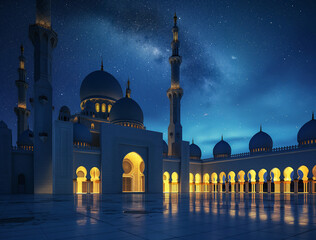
point(174, 94)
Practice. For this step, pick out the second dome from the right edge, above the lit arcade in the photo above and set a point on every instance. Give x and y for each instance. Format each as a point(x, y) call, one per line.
point(260, 142)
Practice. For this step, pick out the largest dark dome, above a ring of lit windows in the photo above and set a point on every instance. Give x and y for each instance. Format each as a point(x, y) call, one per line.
point(100, 84)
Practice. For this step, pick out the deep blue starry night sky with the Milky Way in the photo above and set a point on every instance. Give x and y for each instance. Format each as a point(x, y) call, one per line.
point(245, 63)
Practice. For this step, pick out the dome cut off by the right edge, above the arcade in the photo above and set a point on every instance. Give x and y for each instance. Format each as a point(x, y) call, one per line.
point(307, 133)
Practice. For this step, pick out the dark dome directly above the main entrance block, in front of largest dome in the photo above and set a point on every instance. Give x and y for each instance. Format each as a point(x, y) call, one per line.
point(126, 110)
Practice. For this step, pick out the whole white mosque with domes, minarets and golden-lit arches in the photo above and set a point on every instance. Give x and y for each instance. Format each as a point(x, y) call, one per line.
point(106, 147)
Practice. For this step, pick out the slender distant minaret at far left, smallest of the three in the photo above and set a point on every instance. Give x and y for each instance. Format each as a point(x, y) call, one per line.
point(21, 111)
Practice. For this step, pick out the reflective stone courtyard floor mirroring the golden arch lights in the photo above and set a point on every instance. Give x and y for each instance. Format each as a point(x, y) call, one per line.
point(168, 216)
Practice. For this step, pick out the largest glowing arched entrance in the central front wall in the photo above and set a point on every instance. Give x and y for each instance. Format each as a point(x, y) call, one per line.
point(133, 176)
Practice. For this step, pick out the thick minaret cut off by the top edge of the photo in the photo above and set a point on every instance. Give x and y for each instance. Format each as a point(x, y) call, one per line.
point(44, 40)
